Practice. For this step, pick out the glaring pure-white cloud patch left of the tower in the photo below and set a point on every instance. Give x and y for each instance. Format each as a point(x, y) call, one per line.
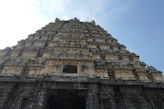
point(18, 19)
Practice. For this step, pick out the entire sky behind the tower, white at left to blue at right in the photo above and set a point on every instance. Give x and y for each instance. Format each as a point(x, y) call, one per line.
point(138, 24)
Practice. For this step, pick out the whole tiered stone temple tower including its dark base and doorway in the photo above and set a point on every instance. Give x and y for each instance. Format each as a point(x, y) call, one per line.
point(76, 65)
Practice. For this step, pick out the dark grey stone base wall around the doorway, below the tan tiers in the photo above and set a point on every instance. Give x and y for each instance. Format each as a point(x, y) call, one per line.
point(34, 95)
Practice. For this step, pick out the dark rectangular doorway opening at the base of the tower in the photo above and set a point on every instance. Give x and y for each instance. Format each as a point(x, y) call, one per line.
point(66, 100)
